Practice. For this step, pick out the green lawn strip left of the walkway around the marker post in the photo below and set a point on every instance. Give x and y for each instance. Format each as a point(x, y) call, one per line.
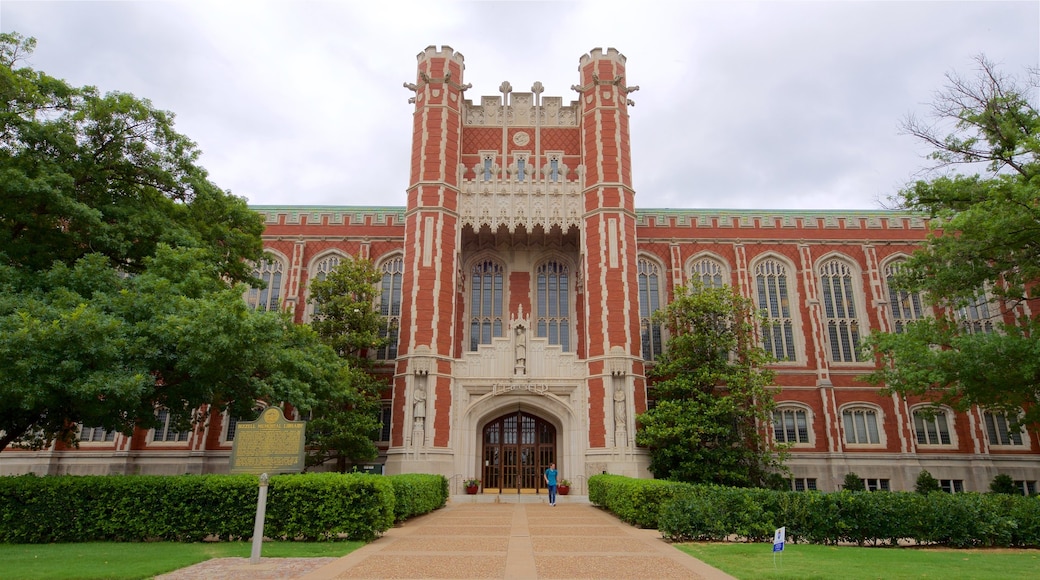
point(119, 561)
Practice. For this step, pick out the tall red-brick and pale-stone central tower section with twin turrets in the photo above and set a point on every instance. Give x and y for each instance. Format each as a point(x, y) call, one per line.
point(521, 299)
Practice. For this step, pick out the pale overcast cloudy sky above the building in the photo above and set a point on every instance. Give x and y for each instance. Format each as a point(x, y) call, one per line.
point(743, 106)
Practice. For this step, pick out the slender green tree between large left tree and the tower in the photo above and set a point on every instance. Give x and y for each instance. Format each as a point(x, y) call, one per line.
point(347, 321)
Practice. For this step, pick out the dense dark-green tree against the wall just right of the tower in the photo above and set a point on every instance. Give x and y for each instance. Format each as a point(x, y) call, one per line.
point(711, 392)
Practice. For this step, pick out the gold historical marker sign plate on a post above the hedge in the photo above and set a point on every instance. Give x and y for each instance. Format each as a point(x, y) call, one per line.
point(272, 444)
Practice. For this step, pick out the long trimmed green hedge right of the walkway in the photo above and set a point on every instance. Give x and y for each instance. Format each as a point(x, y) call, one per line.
point(684, 512)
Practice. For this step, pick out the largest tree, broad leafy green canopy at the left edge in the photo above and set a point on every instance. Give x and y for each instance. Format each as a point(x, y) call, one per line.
point(120, 272)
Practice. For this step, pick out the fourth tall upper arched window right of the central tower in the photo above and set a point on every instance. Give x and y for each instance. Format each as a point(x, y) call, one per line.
point(840, 309)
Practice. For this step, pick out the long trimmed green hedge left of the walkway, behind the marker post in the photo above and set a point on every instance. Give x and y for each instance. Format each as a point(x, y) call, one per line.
point(323, 507)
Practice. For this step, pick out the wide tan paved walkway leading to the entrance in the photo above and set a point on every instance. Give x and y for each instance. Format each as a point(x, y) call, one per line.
point(473, 538)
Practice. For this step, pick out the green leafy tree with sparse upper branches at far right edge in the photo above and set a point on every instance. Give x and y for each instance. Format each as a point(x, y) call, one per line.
point(985, 244)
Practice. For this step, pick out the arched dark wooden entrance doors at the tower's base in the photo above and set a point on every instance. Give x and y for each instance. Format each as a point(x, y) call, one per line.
point(518, 449)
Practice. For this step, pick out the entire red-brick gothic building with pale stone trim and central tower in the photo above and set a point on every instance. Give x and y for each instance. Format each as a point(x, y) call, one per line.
point(521, 277)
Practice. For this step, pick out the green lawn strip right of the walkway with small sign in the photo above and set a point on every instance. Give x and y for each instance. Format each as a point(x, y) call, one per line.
point(749, 562)
